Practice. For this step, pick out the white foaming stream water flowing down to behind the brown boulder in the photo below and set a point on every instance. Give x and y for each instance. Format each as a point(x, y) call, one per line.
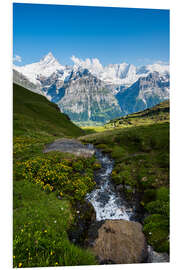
point(106, 201)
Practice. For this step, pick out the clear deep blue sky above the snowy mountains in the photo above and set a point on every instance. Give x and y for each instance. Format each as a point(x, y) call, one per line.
point(113, 35)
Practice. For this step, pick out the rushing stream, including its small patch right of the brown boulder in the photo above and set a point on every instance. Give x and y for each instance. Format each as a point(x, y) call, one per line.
point(109, 204)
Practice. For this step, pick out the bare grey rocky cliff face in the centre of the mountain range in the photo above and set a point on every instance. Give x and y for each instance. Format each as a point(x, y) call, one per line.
point(87, 98)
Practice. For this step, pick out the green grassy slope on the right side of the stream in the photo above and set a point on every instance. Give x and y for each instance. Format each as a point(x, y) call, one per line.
point(141, 154)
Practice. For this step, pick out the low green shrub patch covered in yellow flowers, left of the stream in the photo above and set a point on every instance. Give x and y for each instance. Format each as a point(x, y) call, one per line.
point(74, 178)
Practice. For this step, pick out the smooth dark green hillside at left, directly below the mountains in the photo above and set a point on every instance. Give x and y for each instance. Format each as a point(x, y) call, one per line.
point(34, 113)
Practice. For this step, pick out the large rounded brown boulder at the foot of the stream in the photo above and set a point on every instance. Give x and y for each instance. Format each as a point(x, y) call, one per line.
point(120, 242)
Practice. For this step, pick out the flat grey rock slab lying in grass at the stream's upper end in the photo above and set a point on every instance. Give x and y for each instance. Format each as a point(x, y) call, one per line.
point(70, 146)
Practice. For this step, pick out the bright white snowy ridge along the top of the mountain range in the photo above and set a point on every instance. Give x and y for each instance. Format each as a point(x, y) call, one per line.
point(118, 74)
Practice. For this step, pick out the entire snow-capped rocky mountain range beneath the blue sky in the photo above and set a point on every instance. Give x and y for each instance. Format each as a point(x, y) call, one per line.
point(89, 91)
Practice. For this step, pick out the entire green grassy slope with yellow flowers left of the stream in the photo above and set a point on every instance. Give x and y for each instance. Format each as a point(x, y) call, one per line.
point(40, 218)
